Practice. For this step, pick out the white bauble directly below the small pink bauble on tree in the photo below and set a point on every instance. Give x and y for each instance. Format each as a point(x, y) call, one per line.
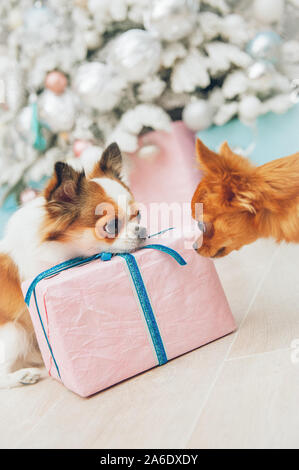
point(57, 111)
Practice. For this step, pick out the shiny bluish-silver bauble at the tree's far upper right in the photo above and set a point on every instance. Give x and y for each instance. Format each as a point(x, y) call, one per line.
point(265, 45)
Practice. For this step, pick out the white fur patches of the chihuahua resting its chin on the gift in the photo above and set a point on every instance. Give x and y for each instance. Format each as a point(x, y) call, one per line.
point(18, 347)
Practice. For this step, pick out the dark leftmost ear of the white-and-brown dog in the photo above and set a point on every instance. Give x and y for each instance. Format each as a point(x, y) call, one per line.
point(65, 186)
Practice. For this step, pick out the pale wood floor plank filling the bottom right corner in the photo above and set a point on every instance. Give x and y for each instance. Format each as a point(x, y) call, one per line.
point(254, 404)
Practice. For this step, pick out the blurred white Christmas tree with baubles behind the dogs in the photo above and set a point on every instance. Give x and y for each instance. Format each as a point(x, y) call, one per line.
point(76, 75)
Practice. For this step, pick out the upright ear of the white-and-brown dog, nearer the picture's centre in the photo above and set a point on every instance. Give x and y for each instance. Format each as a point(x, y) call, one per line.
point(110, 164)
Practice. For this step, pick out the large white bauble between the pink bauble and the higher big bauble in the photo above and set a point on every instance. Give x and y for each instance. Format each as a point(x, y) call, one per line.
point(99, 85)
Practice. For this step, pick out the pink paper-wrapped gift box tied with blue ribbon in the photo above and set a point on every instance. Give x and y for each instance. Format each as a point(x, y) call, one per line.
point(97, 330)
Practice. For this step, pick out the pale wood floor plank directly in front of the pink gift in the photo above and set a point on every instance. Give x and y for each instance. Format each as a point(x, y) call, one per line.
point(155, 409)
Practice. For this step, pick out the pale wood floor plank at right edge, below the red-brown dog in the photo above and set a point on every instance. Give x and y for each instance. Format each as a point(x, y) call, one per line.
point(273, 320)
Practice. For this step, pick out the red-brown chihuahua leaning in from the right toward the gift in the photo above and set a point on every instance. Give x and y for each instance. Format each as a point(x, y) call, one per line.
point(242, 202)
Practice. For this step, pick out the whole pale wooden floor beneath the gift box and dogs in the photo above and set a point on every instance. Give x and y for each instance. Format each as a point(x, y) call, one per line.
point(240, 391)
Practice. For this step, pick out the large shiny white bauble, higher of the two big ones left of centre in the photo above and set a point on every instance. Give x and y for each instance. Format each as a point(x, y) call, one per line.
point(136, 54)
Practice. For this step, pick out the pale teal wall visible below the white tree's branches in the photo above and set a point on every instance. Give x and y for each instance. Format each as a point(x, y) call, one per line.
point(276, 135)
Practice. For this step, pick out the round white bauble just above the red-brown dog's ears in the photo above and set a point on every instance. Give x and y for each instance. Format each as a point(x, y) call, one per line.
point(198, 115)
